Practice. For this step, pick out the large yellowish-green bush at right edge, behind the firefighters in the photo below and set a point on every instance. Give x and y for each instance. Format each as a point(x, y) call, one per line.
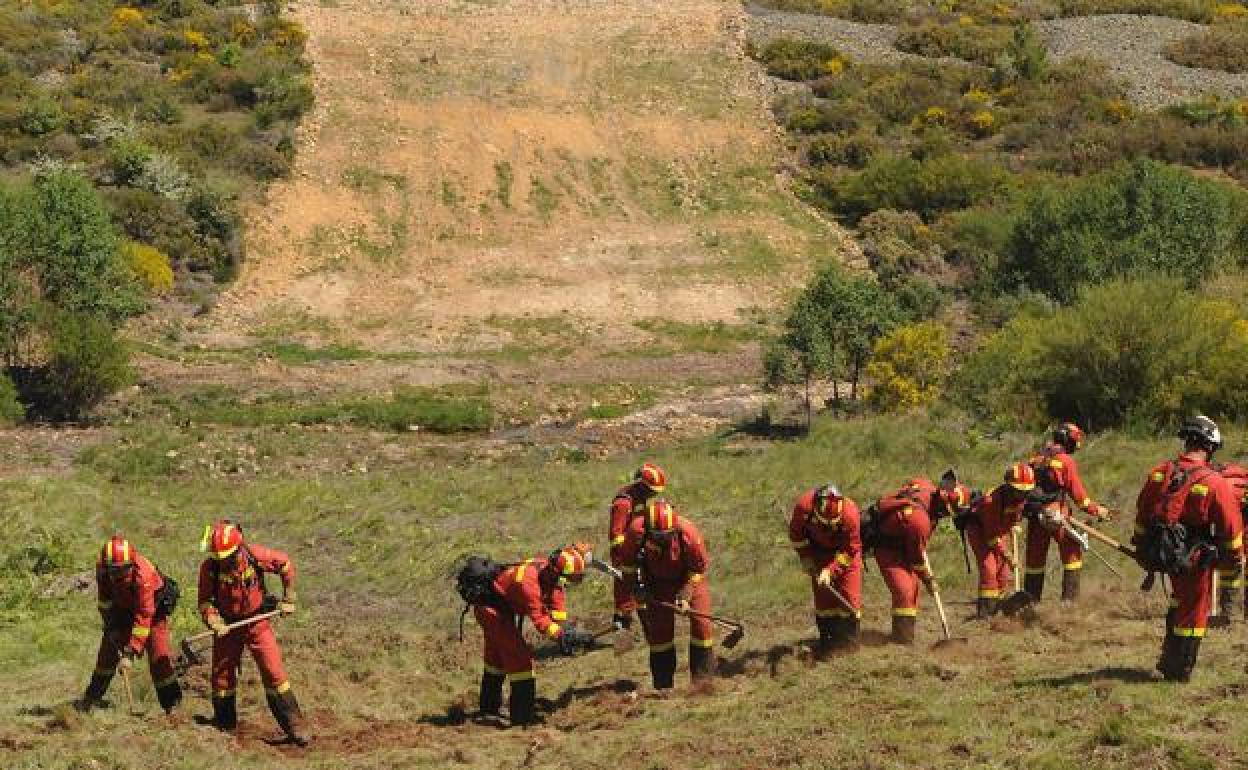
point(1145, 351)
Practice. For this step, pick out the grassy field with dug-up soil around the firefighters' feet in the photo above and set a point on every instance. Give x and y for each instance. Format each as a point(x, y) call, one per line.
point(376, 660)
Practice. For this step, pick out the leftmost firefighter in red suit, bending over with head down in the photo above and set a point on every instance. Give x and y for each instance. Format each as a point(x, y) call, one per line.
point(129, 590)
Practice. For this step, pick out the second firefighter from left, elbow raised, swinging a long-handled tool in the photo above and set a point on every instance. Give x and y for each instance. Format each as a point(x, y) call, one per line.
point(232, 590)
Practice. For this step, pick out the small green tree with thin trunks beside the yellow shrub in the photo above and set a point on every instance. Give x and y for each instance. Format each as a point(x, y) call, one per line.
point(831, 331)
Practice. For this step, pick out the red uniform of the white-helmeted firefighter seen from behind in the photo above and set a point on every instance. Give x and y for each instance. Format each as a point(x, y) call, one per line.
point(1212, 512)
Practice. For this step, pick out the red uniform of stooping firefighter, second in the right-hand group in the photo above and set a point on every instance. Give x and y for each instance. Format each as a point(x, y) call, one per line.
point(905, 525)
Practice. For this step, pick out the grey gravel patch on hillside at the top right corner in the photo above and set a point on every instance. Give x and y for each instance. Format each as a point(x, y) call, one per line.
point(1133, 49)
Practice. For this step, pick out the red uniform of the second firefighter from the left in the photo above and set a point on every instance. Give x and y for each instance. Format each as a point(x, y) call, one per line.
point(236, 595)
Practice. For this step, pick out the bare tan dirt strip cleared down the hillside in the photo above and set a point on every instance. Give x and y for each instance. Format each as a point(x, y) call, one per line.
point(595, 163)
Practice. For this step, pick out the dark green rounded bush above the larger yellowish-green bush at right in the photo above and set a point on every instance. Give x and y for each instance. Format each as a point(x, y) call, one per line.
point(1145, 218)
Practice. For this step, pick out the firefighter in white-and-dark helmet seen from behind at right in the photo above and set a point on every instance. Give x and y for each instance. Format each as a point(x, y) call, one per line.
point(1191, 491)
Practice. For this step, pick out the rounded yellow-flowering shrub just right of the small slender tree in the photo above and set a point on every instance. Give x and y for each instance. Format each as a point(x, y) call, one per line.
point(909, 368)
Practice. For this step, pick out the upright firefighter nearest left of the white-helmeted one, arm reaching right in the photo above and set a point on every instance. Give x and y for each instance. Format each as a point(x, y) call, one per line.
point(1058, 485)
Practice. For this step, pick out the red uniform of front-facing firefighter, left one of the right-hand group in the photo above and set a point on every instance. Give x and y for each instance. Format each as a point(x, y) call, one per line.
point(831, 542)
